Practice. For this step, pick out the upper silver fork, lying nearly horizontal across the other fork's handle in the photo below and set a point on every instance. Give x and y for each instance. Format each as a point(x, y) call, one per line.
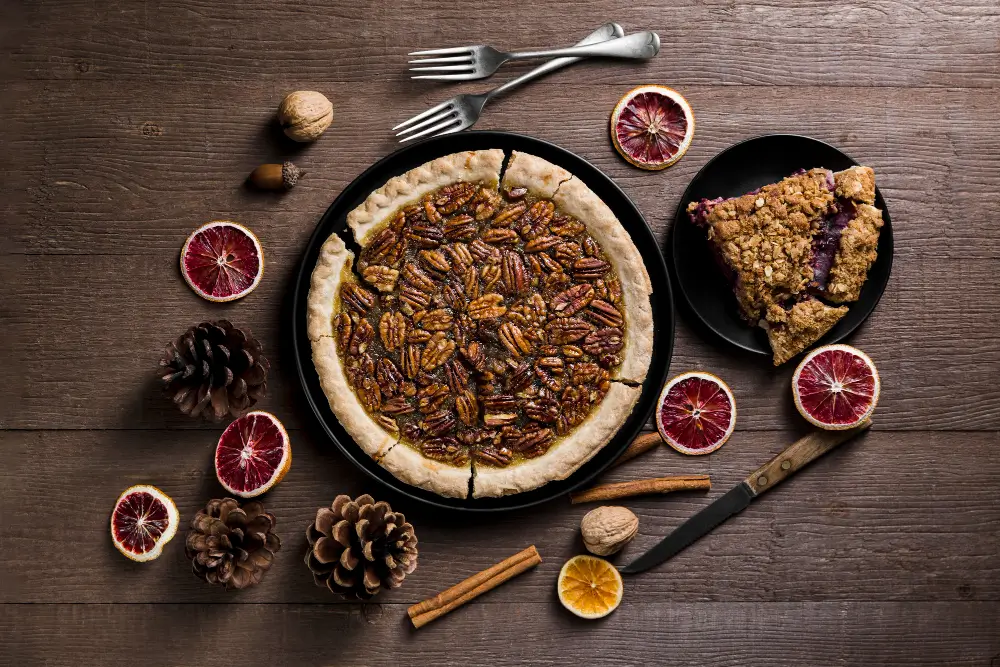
point(465, 63)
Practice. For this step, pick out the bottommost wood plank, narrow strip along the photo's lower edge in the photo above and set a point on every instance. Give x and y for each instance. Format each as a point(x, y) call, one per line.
point(702, 633)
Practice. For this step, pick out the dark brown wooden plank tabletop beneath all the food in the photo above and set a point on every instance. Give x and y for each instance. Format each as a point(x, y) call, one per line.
point(126, 124)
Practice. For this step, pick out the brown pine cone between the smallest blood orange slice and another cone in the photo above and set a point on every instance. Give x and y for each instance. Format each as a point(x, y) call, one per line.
point(230, 546)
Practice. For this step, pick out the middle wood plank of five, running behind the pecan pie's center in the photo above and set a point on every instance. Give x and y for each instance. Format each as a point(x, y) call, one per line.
point(85, 335)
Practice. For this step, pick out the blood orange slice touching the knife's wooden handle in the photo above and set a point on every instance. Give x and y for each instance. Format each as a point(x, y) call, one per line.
point(836, 387)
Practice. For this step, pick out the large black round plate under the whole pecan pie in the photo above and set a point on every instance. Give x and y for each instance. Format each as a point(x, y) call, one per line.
point(335, 221)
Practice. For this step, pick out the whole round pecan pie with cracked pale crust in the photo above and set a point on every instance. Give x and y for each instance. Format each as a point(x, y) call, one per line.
point(491, 335)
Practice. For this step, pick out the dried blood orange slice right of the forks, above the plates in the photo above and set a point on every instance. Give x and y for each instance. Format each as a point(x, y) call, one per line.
point(652, 126)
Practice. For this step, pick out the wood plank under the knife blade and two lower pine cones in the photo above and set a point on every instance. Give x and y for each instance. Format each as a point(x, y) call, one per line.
point(908, 517)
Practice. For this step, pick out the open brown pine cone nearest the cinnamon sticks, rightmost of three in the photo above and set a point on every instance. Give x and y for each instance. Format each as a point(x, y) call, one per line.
point(357, 547)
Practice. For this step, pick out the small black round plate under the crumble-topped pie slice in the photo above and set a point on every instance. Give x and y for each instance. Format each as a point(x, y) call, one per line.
point(739, 169)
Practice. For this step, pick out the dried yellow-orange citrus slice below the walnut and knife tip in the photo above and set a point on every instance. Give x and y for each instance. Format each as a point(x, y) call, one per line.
point(590, 587)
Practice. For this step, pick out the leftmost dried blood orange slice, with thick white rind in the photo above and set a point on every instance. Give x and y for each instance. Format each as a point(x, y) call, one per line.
point(143, 521)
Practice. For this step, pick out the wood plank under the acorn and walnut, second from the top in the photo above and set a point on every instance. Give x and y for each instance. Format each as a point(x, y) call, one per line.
point(102, 168)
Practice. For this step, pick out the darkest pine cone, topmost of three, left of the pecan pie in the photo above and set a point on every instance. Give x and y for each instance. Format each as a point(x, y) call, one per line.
point(215, 369)
